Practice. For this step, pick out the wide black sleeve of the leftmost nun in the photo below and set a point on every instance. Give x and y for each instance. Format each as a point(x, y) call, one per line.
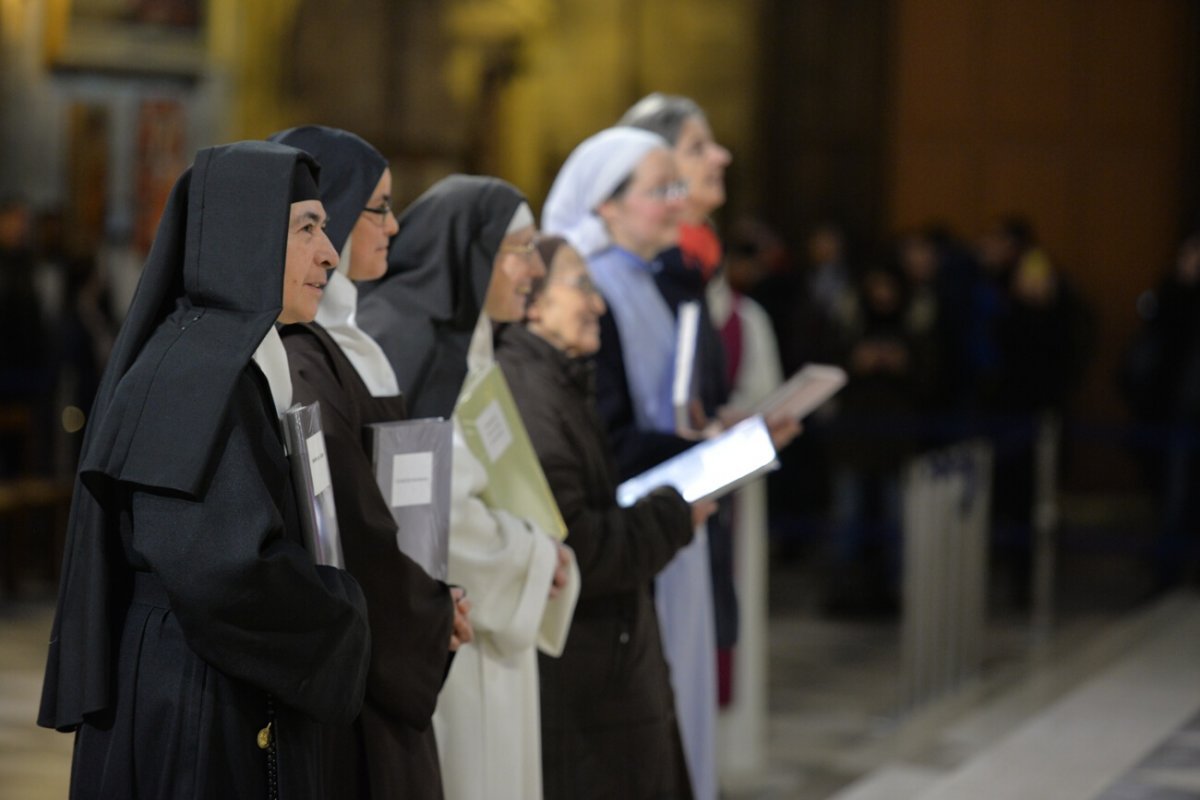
point(251, 604)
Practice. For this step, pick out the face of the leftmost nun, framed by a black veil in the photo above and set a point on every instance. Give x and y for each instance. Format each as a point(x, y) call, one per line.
point(310, 258)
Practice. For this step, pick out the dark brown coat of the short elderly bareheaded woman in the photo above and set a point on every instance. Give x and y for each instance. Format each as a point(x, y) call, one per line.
point(608, 711)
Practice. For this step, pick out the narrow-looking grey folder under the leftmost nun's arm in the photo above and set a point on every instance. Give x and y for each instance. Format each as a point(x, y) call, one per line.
point(315, 491)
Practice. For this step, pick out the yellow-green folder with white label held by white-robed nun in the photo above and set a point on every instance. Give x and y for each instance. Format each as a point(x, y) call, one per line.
point(493, 429)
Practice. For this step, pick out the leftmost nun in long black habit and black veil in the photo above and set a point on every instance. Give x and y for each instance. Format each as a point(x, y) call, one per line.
point(197, 649)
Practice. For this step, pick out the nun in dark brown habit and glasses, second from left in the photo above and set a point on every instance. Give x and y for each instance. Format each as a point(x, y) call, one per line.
point(416, 622)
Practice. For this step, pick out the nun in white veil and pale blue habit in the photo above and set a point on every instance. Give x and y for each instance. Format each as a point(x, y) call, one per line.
point(619, 201)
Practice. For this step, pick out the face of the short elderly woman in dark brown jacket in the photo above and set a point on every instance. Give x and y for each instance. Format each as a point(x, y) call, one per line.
point(567, 312)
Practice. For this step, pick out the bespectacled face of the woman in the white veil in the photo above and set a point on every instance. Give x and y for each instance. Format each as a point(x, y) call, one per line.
point(645, 220)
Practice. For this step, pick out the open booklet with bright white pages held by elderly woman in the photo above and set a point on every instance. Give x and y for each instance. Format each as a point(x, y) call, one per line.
point(710, 470)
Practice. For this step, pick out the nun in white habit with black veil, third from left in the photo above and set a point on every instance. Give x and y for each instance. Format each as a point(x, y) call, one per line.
point(464, 263)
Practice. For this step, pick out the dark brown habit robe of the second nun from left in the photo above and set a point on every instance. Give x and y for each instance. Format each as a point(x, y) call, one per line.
point(411, 613)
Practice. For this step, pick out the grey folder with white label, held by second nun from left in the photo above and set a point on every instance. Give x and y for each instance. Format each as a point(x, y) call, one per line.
point(412, 462)
